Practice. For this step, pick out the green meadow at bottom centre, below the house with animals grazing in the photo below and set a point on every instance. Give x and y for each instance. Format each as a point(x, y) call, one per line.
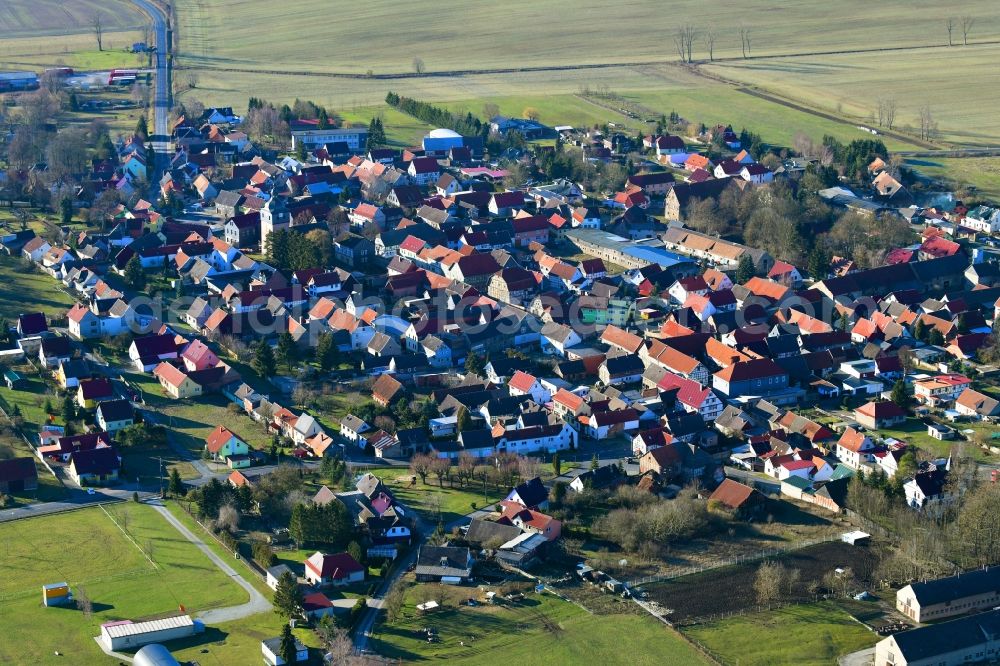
point(519, 633)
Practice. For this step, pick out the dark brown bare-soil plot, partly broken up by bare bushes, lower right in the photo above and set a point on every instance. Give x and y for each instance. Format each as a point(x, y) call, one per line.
point(731, 588)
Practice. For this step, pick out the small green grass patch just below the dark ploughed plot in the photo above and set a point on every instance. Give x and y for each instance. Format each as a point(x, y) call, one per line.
point(802, 634)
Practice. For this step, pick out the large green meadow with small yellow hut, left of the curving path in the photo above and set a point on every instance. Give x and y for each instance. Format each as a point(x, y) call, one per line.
point(87, 549)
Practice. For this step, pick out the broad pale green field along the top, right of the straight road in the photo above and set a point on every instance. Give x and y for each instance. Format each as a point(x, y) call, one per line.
point(210, 38)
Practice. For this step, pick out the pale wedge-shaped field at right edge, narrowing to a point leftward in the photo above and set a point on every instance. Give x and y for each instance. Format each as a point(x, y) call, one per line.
point(852, 83)
